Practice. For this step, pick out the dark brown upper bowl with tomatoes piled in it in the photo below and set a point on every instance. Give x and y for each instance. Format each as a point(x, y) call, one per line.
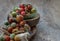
point(34, 21)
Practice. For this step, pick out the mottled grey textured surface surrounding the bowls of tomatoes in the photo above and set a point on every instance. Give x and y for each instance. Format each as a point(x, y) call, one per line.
point(48, 28)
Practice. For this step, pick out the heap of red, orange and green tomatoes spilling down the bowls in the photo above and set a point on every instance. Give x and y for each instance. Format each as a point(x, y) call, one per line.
point(15, 21)
